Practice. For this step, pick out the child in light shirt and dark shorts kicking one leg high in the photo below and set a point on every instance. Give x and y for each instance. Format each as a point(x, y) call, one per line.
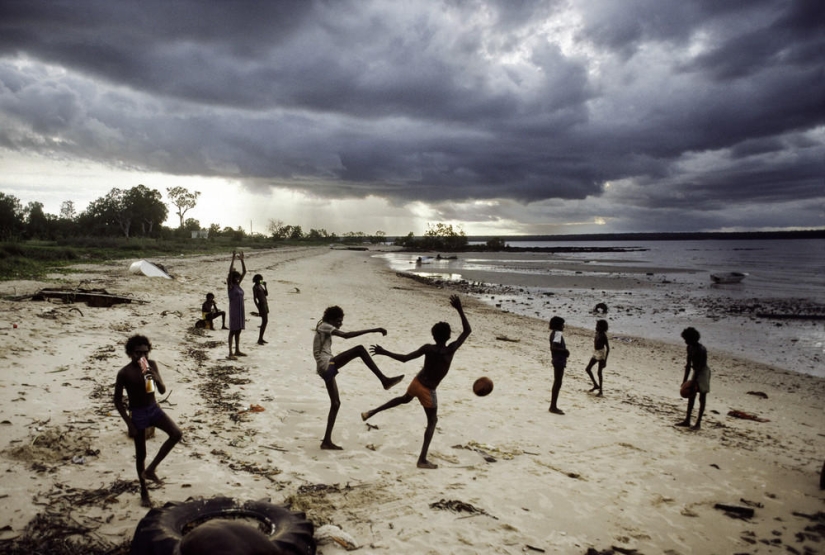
point(328, 365)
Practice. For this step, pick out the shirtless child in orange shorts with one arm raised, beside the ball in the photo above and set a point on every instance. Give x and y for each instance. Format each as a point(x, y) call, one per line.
point(437, 360)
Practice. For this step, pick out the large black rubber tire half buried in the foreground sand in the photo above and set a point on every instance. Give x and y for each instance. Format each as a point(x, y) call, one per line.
point(162, 529)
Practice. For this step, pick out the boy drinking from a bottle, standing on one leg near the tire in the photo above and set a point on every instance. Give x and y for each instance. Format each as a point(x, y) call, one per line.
point(140, 378)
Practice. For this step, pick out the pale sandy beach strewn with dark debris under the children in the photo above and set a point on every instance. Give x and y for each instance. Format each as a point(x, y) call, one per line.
point(611, 475)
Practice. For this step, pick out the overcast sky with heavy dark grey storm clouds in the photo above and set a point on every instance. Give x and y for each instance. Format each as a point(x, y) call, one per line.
point(499, 116)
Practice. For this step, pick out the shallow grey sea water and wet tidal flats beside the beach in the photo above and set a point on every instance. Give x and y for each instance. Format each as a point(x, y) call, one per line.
point(656, 288)
